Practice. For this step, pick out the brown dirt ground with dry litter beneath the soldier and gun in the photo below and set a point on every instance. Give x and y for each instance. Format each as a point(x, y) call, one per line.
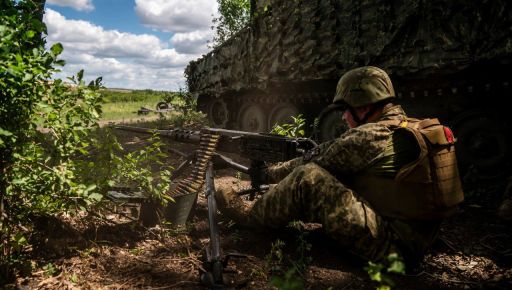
point(474, 250)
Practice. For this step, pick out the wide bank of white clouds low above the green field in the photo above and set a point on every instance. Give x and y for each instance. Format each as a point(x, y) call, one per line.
point(124, 60)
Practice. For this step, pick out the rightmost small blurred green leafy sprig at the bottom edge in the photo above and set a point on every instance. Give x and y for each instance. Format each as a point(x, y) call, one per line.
point(380, 273)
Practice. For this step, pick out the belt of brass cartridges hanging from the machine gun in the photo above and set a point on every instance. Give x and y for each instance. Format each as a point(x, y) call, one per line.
point(194, 182)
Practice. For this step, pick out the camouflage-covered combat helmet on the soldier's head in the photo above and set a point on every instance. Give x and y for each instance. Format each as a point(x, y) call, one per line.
point(363, 86)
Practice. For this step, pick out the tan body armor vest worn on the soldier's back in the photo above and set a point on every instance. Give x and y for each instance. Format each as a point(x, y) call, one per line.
point(428, 188)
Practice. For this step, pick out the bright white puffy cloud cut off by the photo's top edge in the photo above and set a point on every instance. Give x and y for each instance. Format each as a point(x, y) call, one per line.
point(177, 16)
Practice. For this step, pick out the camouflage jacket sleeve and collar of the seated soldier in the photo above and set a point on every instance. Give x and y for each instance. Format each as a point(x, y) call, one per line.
point(355, 150)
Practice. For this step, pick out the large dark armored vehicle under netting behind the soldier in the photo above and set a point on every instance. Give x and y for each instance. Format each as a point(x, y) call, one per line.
point(448, 59)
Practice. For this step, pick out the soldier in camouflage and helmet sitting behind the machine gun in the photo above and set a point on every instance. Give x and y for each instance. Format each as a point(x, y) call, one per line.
point(383, 186)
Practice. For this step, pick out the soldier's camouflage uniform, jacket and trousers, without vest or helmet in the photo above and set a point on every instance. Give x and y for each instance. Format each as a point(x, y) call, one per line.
point(316, 191)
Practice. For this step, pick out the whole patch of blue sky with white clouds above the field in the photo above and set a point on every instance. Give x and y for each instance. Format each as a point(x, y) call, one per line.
point(137, 44)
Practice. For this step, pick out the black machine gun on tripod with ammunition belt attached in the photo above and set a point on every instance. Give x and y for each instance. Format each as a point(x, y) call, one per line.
point(259, 148)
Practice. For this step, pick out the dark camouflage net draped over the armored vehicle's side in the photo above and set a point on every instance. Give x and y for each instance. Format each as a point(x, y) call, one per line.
point(301, 40)
